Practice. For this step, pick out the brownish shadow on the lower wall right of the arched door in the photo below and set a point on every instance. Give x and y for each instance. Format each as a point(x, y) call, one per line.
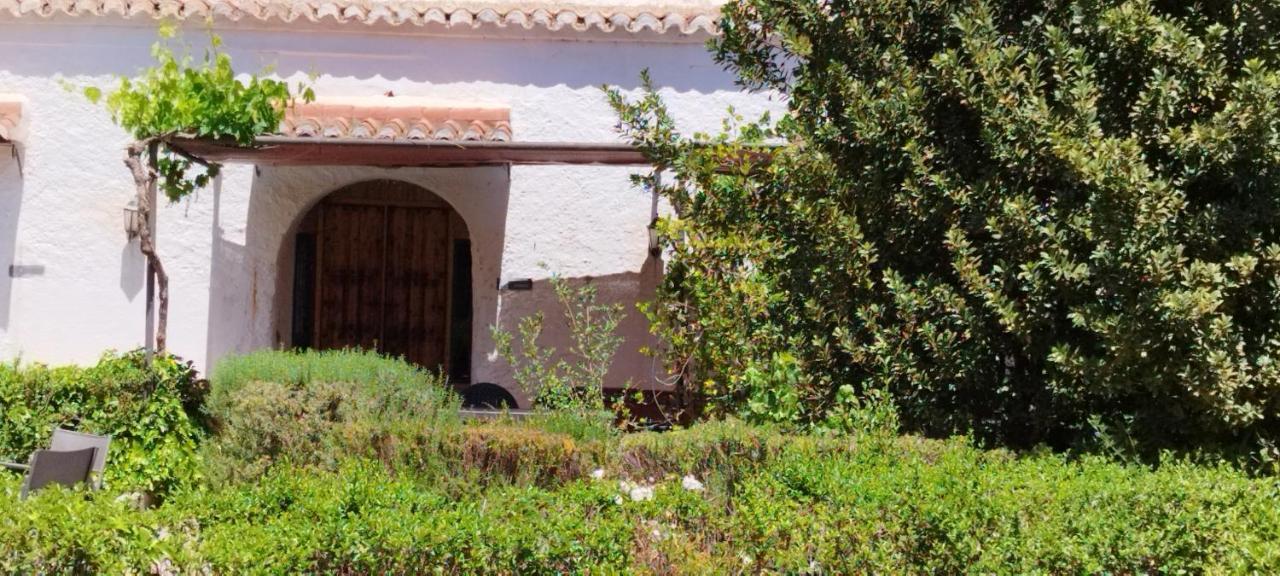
point(632, 367)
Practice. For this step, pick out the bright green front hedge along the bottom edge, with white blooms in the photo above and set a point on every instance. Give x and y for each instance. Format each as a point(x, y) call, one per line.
point(771, 505)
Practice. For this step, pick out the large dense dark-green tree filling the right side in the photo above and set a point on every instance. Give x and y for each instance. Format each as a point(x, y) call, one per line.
point(1034, 221)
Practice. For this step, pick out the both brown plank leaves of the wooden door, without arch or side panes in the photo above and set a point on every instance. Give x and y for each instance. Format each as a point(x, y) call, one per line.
point(383, 281)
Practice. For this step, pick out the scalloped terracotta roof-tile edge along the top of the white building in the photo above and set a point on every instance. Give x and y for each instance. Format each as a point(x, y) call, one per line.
point(685, 17)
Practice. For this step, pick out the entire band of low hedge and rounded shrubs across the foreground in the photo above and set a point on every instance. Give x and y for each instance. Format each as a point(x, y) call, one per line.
point(351, 464)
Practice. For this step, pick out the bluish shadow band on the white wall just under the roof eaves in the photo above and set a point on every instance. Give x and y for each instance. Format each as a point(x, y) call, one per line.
point(541, 63)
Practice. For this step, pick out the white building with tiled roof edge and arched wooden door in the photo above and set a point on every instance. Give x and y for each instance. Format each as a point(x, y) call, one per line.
point(322, 250)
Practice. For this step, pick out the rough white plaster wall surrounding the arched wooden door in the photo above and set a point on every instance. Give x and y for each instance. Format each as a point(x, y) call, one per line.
point(222, 246)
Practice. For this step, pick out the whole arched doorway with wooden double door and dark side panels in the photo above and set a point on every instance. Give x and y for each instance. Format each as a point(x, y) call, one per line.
point(386, 266)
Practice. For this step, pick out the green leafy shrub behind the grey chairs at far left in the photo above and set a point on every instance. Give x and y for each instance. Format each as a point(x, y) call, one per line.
point(150, 413)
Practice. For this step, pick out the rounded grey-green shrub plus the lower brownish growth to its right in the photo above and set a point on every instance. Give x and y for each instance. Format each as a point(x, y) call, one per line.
point(321, 409)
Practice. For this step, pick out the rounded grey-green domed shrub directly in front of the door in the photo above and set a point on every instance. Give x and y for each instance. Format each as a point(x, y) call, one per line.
point(319, 408)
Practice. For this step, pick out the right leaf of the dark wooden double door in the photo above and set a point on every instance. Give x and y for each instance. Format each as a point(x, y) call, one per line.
point(418, 264)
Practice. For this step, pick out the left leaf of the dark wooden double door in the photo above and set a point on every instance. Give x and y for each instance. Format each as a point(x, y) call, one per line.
point(353, 241)
